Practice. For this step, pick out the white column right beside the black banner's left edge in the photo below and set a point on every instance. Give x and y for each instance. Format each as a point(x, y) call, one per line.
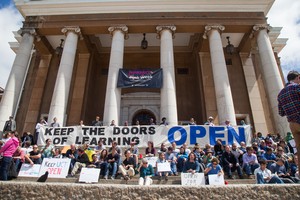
point(113, 94)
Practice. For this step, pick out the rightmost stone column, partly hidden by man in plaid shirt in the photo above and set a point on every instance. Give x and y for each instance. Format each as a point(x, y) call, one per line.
point(271, 75)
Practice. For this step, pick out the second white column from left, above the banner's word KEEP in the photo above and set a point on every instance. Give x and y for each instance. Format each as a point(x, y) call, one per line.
point(63, 80)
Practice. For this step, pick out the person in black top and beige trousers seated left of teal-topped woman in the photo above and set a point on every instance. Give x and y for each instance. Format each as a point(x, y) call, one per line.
point(128, 166)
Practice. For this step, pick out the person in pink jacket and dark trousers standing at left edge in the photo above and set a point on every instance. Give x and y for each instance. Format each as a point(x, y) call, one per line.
point(7, 151)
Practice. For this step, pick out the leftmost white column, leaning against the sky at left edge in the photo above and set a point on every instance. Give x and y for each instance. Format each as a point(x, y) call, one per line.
point(17, 75)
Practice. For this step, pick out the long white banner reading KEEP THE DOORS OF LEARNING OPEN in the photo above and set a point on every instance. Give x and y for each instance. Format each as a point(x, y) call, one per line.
point(142, 134)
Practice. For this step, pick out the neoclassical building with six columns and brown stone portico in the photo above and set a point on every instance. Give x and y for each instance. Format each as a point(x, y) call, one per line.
point(219, 58)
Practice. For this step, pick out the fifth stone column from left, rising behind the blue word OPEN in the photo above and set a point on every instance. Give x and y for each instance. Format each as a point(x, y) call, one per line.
point(222, 86)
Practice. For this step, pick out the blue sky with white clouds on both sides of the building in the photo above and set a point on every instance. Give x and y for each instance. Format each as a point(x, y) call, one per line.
point(284, 13)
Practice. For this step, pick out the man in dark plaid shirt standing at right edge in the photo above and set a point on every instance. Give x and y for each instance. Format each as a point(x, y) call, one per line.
point(289, 106)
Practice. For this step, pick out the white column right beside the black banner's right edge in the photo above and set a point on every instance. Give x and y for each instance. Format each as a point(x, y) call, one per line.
point(168, 105)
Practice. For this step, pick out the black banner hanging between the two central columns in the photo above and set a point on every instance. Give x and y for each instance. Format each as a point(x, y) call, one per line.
point(143, 78)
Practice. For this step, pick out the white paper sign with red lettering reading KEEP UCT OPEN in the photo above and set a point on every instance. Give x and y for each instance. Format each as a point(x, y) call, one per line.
point(57, 167)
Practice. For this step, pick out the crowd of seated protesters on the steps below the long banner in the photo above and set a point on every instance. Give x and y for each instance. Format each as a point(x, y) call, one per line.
point(264, 160)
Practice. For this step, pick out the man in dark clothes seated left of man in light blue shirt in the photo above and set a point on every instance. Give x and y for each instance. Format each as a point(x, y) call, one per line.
point(230, 163)
